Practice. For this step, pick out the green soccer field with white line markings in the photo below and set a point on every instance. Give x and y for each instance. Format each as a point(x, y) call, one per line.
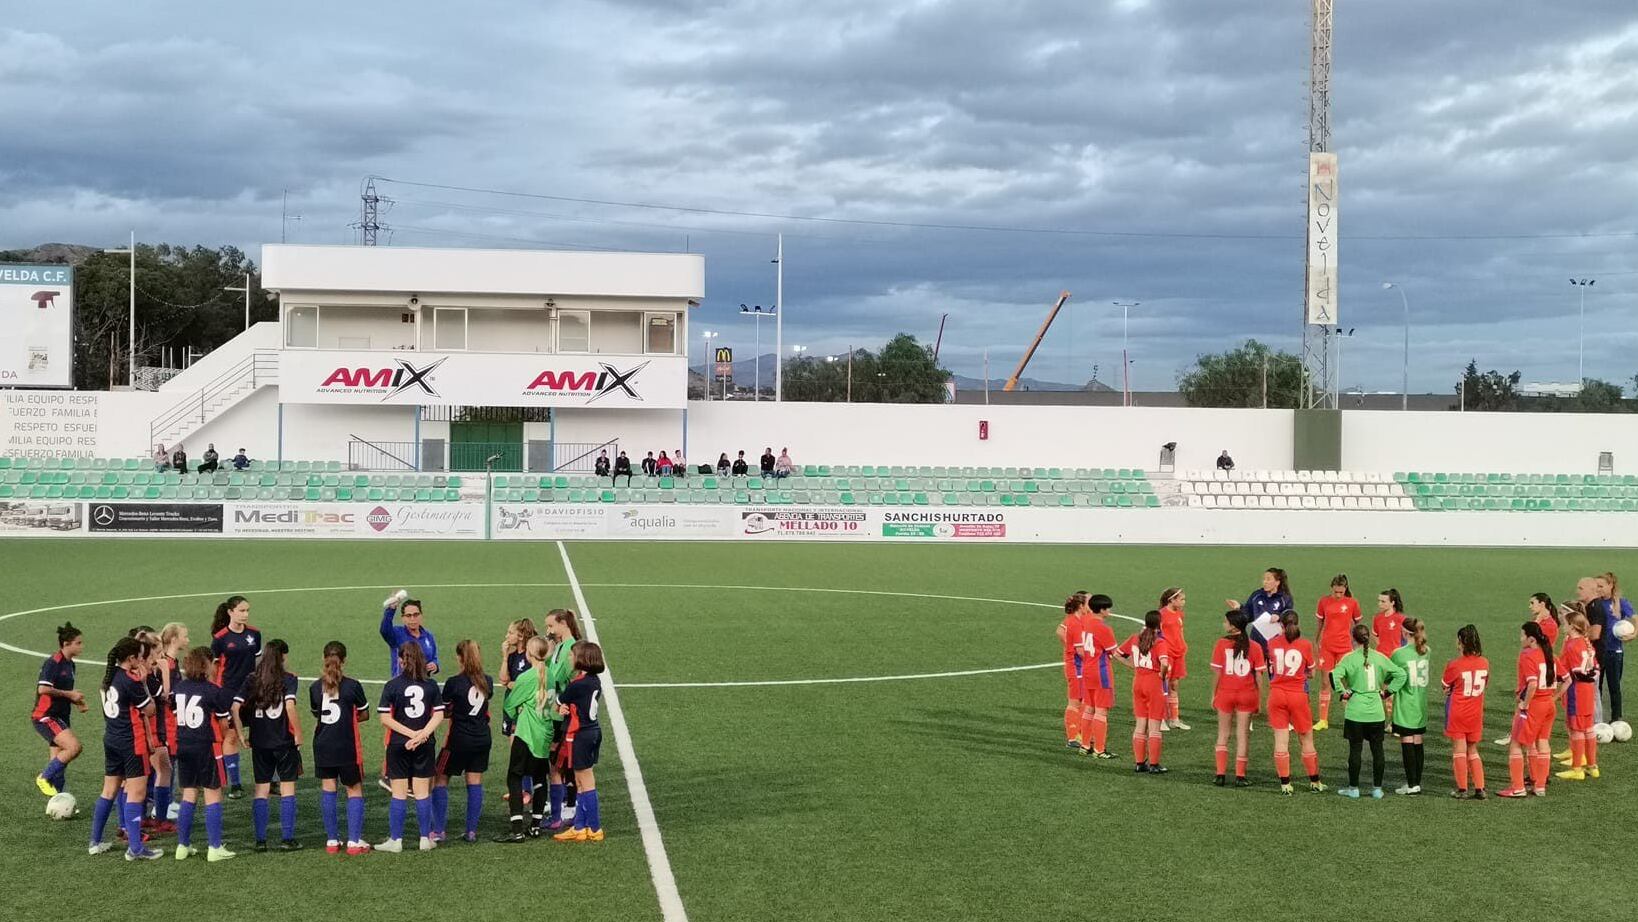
point(928, 797)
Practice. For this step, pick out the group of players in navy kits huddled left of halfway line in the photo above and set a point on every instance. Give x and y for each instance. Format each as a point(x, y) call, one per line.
point(176, 720)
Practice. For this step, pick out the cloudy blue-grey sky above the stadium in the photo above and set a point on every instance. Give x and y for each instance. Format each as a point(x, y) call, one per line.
point(921, 158)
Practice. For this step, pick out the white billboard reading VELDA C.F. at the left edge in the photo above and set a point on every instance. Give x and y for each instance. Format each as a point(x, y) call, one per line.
point(37, 314)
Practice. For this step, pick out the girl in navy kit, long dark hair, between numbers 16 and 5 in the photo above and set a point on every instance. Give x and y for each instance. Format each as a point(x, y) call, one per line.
point(268, 708)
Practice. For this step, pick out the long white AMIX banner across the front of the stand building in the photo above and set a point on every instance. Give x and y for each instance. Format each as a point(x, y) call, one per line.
point(484, 379)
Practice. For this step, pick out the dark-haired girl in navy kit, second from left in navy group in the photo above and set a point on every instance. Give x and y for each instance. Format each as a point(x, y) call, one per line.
point(127, 708)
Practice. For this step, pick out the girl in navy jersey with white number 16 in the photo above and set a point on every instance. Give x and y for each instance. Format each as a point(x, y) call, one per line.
point(201, 712)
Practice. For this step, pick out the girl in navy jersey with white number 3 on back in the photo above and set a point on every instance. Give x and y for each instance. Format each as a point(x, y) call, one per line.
point(412, 710)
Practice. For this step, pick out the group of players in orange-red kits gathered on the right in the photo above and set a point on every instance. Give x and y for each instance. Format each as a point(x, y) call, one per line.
point(1262, 664)
